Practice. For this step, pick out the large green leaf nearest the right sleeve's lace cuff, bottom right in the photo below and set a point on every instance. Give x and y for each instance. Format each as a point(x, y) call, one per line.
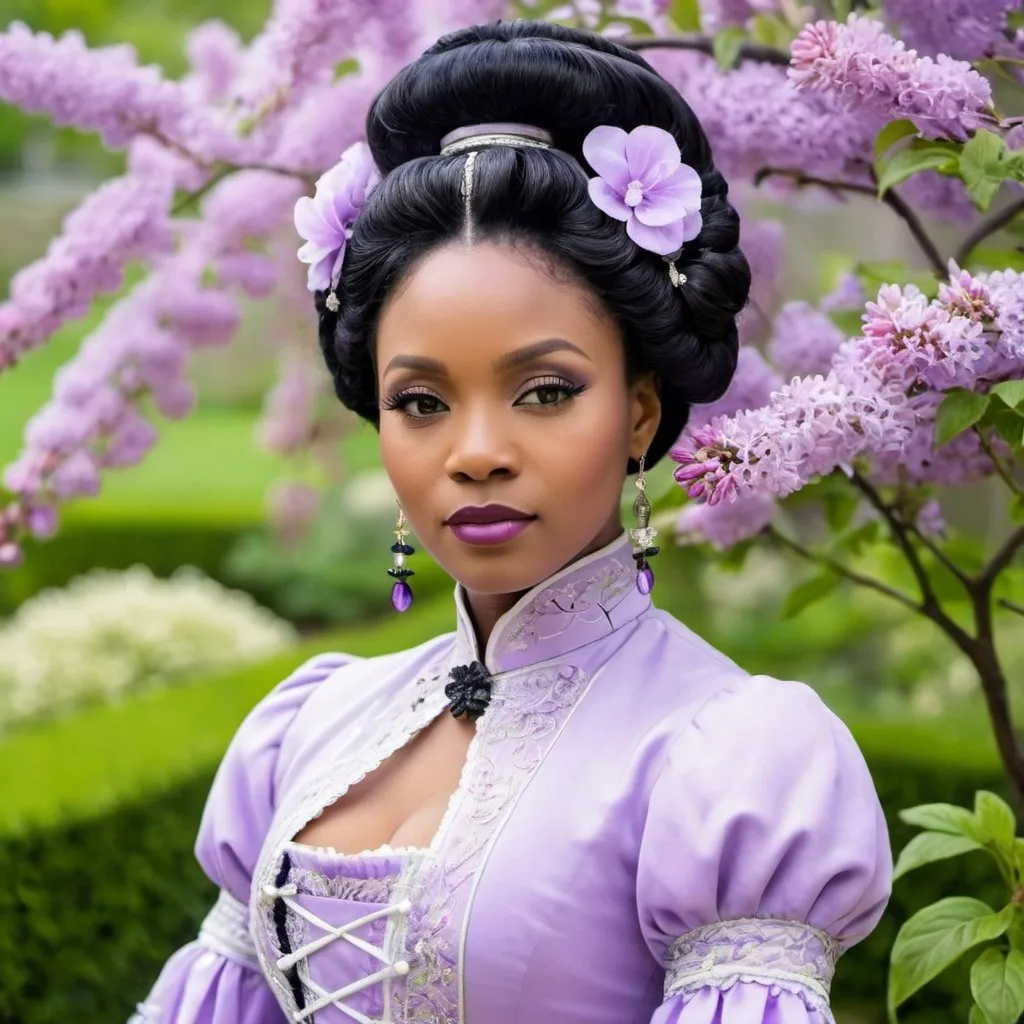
point(937, 936)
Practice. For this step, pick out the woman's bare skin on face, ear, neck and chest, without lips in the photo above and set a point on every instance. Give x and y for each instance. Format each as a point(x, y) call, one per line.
point(488, 353)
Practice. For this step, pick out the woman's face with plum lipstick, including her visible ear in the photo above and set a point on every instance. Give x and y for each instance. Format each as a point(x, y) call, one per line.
point(500, 386)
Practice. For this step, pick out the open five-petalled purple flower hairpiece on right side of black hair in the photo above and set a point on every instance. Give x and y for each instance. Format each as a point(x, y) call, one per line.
point(644, 182)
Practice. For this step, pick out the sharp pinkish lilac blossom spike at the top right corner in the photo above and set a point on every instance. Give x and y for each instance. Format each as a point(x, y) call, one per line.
point(864, 67)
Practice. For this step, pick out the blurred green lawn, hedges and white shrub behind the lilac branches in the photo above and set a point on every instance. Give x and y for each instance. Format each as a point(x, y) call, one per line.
point(134, 643)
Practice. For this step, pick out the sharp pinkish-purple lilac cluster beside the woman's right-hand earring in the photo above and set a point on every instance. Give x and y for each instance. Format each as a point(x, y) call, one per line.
point(877, 401)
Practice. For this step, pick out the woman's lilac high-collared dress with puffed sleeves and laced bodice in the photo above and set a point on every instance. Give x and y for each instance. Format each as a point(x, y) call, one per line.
point(644, 834)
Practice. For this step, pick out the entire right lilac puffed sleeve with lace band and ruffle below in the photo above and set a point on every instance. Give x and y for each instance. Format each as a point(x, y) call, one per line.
point(765, 856)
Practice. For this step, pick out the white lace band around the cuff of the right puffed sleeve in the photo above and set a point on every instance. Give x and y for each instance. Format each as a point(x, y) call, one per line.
point(788, 956)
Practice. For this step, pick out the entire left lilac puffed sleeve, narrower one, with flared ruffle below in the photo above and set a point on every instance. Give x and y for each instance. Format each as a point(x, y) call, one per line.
point(217, 979)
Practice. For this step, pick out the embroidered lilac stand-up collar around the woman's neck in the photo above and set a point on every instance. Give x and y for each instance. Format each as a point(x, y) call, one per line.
point(587, 601)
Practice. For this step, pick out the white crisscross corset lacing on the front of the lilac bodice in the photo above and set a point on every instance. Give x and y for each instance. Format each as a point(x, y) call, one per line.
point(333, 934)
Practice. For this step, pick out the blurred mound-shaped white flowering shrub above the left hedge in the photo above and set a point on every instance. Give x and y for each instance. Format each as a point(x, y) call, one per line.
point(108, 633)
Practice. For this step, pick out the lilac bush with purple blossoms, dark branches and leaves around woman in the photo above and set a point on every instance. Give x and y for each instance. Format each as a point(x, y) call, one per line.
point(868, 404)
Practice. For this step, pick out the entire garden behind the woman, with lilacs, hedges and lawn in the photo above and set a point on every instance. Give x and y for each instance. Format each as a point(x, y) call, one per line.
point(188, 515)
